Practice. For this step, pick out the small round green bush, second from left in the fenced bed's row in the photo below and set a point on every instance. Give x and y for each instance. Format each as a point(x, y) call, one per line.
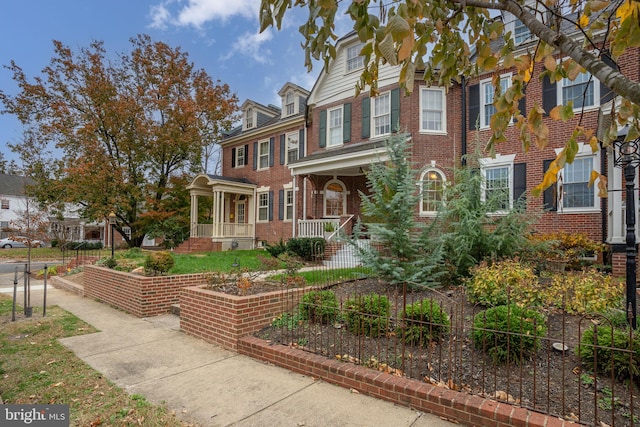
point(368, 315)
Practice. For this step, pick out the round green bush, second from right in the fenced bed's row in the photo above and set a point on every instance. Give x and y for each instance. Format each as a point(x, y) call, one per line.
point(508, 332)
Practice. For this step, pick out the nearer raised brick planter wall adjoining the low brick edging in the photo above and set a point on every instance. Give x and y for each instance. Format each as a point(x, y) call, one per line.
point(223, 319)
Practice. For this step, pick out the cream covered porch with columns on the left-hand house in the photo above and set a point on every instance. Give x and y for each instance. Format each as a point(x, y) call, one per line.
point(223, 211)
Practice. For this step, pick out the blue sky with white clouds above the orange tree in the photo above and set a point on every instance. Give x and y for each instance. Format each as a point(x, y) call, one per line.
point(221, 36)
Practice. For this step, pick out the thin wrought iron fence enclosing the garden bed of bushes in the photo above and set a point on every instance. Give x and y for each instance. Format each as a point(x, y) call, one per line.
point(580, 368)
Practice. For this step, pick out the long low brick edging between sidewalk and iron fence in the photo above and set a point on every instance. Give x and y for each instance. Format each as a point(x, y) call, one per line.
point(465, 408)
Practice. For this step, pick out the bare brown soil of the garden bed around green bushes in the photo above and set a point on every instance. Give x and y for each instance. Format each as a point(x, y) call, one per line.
point(553, 381)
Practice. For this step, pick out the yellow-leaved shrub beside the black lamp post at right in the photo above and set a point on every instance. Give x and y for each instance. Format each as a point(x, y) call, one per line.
point(584, 292)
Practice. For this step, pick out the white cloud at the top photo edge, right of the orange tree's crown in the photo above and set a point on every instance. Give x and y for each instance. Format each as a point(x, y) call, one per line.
point(198, 12)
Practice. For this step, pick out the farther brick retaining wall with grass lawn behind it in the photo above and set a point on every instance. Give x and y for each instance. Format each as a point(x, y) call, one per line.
point(138, 295)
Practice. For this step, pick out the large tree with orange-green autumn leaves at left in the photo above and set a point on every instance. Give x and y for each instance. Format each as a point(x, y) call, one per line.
point(113, 134)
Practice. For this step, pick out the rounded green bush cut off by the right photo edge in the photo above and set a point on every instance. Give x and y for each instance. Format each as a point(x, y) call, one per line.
point(608, 350)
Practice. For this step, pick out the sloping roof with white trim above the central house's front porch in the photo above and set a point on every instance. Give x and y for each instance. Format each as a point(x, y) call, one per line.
point(346, 160)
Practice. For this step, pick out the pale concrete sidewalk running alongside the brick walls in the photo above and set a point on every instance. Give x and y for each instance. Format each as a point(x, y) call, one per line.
point(211, 386)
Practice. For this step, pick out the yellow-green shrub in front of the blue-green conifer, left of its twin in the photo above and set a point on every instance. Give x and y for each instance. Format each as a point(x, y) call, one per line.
point(503, 282)
